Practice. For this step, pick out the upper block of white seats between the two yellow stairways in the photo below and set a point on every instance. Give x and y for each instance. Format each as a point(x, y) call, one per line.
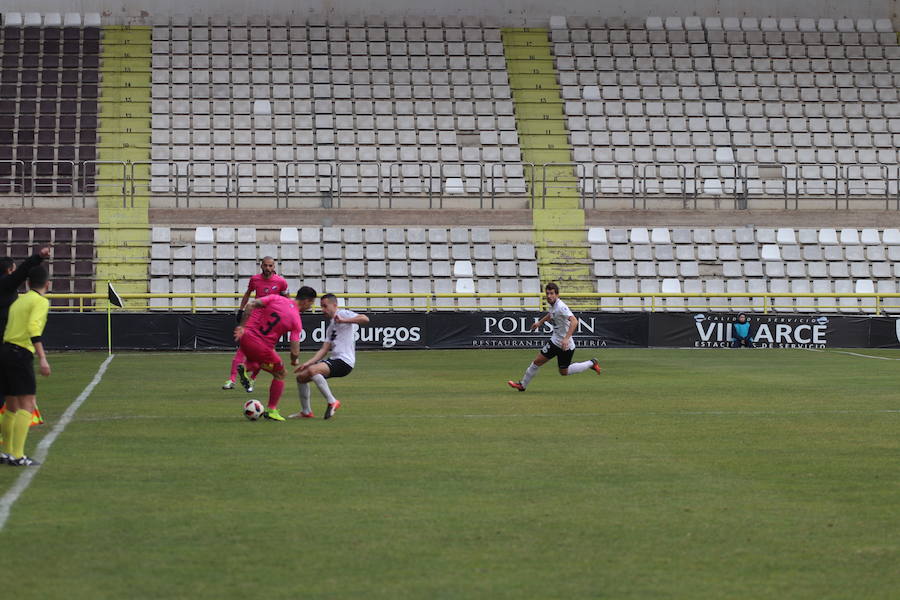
point(405, 106)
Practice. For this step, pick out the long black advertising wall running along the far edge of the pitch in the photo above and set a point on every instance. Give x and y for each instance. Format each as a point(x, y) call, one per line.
point(480, 330)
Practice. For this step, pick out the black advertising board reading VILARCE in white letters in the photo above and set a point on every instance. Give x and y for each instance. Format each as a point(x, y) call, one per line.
point(713, 330)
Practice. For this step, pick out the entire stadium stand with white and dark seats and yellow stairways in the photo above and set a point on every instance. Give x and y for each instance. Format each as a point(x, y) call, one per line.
point(658, 107)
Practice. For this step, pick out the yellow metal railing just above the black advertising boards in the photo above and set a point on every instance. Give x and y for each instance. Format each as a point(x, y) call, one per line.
point(871, 304)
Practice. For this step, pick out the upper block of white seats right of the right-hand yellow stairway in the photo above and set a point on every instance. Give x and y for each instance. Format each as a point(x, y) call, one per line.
point(724, 106)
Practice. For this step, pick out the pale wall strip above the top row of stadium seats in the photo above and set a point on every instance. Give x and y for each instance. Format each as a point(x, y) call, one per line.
point(505, 12)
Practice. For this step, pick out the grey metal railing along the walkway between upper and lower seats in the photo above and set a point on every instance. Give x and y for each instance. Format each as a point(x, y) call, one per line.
point(738, 182)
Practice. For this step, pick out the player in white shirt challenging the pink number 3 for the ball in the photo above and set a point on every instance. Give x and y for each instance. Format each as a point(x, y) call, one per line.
point(341, 342)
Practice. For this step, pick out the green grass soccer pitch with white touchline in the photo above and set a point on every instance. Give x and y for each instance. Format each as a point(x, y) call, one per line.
point(674, 474)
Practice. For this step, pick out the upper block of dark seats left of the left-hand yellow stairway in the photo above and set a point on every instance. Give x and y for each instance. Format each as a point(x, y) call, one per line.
point(48, 106)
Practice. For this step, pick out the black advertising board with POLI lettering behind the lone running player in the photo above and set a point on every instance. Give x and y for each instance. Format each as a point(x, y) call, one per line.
point(511, 330)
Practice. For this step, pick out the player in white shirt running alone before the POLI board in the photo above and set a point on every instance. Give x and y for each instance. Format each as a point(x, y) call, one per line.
point(561, 344)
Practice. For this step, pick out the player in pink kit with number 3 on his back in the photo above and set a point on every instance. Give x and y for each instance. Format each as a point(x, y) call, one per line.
point(265, 320)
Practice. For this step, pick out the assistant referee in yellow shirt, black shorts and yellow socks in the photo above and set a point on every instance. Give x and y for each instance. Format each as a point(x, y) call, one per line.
point(21, 341)
